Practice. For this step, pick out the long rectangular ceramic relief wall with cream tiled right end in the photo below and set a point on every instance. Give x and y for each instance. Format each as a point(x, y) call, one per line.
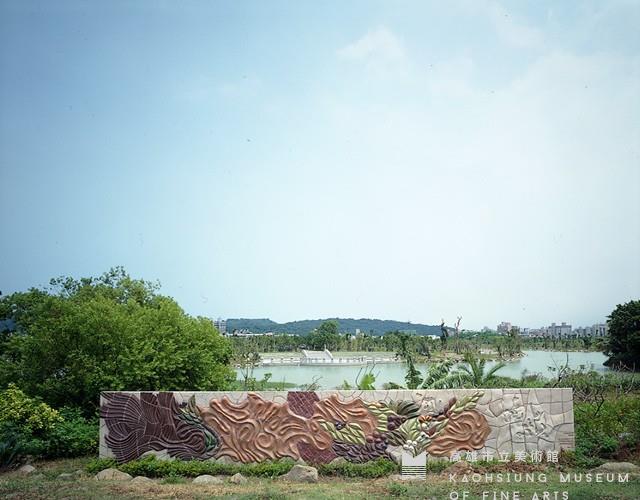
point(320, 426)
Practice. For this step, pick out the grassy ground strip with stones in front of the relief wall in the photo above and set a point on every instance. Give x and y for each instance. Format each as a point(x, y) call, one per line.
point(437, 486)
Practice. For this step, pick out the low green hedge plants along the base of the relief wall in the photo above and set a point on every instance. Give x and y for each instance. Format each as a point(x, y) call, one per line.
point(153, 467)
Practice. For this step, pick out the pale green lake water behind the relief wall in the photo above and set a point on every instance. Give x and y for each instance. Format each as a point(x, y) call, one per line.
point(333, 376)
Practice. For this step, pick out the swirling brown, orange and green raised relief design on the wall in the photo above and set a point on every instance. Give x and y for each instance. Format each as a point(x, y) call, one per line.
point(305, 426)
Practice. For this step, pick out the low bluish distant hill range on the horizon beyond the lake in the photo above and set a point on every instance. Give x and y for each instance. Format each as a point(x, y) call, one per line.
point(347, 325)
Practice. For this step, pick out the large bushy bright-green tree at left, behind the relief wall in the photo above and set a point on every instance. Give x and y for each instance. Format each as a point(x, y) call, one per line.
point(79, 337)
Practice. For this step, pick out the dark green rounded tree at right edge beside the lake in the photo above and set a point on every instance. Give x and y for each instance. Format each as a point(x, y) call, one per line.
point(623, 344)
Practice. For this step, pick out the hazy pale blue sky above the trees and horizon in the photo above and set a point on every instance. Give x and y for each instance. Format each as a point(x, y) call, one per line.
point(302, 159)
